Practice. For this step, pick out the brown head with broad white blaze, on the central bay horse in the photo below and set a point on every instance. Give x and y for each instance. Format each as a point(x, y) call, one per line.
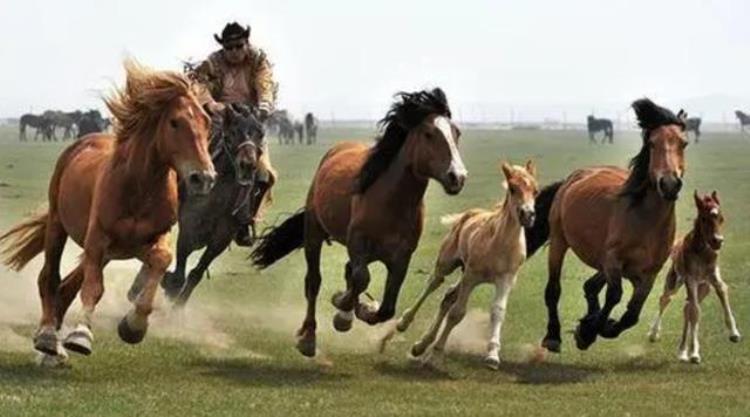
point(433, 152)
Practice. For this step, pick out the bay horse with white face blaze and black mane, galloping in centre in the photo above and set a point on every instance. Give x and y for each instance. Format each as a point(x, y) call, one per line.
point(370, 199)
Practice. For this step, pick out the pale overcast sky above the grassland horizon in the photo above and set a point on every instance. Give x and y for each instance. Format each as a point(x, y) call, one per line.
point(343, 58)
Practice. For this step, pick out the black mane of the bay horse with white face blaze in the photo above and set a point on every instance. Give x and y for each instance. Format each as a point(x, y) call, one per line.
point(408, 111)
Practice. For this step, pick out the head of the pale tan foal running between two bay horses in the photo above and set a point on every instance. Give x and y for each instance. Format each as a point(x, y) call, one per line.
point(522, 190)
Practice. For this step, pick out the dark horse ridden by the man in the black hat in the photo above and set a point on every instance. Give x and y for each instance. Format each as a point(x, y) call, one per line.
point(211, 221)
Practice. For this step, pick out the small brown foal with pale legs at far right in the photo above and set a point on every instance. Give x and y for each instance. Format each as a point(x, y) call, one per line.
point(695, 263)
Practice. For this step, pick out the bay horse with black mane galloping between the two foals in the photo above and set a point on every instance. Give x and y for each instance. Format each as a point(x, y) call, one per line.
point(620, 223)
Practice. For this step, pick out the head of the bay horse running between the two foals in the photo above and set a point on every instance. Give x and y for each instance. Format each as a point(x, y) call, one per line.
point(661, 161)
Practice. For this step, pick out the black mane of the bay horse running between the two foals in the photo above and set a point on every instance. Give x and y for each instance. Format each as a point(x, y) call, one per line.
point(650, 117)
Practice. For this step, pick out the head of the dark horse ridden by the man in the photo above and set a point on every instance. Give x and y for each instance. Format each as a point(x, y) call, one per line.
point(243, 136)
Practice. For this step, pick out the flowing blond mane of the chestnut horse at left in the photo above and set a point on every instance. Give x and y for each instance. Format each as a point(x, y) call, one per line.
point(138, 107)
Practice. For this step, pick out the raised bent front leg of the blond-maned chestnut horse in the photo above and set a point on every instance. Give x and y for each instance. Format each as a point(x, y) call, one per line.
point(156, 259)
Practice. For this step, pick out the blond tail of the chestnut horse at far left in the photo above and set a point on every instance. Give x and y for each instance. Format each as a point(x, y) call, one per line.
point(23, 242)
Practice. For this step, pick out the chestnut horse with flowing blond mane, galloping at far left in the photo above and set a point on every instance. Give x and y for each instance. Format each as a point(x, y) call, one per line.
point(116, 197)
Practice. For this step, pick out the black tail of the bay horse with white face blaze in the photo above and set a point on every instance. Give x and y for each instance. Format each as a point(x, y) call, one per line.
point(280, 241)
